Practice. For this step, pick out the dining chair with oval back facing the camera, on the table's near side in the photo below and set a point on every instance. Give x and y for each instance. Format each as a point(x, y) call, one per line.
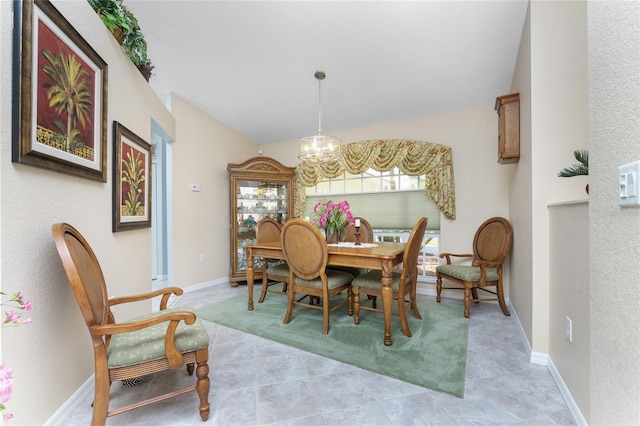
point(305, 250)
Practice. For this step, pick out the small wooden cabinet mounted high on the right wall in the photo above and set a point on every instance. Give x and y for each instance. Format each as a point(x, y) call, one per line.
point(508, 109)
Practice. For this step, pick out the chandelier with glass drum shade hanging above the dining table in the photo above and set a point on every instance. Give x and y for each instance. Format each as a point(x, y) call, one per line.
point(320, 147)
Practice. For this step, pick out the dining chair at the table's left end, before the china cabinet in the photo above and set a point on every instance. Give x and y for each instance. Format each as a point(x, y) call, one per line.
point(275, 271)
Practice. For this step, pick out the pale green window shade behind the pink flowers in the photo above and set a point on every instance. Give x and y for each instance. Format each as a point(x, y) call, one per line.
point(386, 210)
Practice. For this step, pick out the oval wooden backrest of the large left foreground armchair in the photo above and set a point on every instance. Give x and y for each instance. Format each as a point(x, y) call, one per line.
point(84, 274)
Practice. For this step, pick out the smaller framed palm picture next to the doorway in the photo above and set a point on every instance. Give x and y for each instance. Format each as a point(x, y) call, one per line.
point(131, 181)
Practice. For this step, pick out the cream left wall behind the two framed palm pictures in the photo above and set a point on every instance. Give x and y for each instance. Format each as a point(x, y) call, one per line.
point(53, 357)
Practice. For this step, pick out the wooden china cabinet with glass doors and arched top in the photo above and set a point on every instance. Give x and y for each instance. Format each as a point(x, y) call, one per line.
point(260, 187)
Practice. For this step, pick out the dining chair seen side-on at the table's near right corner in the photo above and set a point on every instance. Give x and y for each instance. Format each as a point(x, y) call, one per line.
point(404, 283)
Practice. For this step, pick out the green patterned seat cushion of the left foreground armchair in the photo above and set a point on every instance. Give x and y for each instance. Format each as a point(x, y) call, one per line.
point(148, 344)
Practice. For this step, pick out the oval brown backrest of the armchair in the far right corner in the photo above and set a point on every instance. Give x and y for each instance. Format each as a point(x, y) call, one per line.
point(493, 240)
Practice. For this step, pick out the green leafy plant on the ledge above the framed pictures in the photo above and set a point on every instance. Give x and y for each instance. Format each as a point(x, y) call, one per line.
point(126, 30)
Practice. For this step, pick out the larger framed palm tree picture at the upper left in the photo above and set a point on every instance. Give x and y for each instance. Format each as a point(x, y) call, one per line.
point(60, 95)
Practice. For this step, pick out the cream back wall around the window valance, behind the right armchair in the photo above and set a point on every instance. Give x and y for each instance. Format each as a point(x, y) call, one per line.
point(481, 183)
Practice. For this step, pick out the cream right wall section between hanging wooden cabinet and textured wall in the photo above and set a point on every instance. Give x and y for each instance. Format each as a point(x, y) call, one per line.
point(551, 77)
